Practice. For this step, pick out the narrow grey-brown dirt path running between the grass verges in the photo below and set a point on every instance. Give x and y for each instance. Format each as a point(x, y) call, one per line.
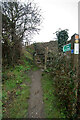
point(35, 109)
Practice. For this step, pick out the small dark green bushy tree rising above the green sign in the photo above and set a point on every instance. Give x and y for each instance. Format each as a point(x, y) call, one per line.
point(62, 37)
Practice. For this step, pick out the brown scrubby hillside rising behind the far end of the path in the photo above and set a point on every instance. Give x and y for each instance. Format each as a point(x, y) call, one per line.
point(40, 50)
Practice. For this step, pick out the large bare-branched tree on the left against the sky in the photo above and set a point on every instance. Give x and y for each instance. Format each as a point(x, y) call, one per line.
point(20, 21)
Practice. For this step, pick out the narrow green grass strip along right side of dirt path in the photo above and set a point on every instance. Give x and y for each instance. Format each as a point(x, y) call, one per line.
point(50, 103)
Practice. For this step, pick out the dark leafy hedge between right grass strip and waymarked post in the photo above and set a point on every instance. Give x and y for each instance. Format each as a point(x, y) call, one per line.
point(64, 87)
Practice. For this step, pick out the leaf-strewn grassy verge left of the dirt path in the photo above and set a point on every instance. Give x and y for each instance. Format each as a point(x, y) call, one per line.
point(16, 84)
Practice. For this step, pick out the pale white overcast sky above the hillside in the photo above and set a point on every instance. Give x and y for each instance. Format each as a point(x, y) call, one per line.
point(57, 14)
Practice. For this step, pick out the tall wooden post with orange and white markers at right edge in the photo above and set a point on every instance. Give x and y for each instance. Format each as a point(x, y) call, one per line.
point(75, 62)
